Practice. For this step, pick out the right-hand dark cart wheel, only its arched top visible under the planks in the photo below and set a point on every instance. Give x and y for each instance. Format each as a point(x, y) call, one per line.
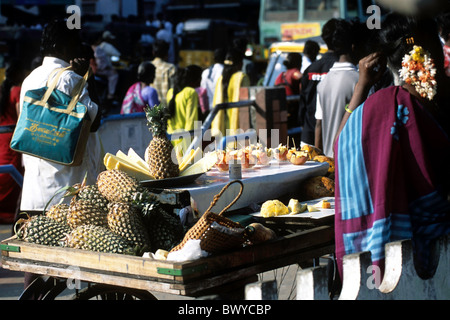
point(107, 292)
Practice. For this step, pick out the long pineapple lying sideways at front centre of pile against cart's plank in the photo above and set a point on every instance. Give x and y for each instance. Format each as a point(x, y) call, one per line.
point(97, 238)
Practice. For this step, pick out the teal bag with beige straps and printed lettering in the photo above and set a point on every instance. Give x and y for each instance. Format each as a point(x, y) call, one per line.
point(53, 125)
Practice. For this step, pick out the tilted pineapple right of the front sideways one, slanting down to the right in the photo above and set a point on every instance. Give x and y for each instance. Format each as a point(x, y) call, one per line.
point(125, 220)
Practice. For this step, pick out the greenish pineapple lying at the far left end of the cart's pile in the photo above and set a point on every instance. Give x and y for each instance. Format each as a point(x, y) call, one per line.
point(41, 230)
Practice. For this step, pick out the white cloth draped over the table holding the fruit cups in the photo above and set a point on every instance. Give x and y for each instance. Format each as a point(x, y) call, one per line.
point(261, 183)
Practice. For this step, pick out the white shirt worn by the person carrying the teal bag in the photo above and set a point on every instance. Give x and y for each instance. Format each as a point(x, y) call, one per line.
point(42, 179)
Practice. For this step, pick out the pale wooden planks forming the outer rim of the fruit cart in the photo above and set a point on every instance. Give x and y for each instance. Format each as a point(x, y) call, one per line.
point(133, 267)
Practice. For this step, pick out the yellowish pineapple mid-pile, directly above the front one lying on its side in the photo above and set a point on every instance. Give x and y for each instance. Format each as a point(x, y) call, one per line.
point(84, 212)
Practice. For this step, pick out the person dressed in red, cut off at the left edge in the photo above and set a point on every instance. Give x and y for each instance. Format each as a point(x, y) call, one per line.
point(9, 110)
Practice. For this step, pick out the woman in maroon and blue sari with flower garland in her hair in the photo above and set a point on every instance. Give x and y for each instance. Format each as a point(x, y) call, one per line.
point(392, 150)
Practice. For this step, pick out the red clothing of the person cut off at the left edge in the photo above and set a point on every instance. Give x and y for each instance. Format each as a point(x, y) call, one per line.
point(9, 189)
